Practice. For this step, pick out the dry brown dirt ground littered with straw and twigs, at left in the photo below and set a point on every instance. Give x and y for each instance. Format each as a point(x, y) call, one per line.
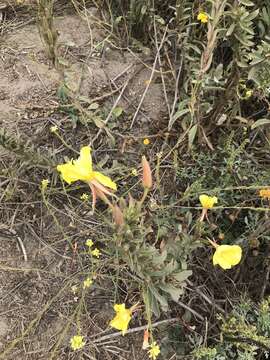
point(33, 274)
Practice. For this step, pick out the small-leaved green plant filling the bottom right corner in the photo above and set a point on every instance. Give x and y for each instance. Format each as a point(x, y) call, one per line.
point(244, 334)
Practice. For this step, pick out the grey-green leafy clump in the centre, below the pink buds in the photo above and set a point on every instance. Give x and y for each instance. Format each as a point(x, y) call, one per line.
point(159, 265)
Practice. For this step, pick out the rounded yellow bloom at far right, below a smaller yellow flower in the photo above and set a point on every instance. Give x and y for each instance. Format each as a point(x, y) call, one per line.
point(227, 256)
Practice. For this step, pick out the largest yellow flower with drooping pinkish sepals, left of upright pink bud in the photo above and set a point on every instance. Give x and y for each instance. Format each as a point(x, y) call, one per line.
point(81, 169)
